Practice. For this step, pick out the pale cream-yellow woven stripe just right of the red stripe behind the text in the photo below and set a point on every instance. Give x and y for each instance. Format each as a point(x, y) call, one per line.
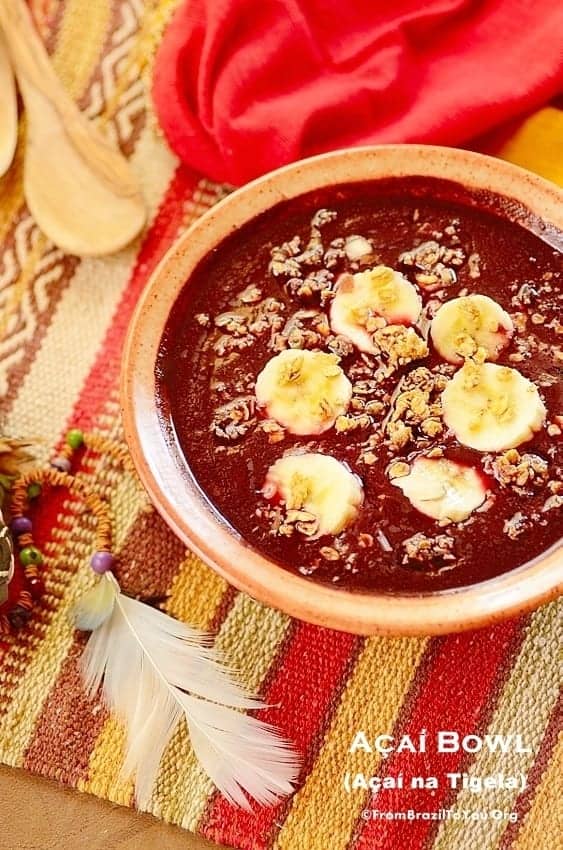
point(524, 708)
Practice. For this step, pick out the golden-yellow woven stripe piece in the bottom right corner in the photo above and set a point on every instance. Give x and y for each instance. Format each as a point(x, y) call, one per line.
point(543, 825)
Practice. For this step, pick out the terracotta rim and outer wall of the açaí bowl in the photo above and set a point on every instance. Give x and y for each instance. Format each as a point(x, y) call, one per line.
point(172, 487)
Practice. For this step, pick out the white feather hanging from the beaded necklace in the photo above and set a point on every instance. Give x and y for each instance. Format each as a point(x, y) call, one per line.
point(156, 672)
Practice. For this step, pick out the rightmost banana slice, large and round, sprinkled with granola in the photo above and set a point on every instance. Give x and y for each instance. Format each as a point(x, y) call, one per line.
point(492, 408)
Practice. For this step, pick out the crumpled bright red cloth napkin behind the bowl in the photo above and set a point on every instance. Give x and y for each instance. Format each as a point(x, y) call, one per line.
point(243, 86)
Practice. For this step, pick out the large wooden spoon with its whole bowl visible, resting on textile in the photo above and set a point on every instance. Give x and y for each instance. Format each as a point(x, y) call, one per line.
point(80, 191)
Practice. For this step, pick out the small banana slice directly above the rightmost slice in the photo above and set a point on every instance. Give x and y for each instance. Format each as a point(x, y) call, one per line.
point(463, 325)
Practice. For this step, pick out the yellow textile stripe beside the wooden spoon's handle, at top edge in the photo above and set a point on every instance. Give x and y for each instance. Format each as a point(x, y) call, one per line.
point(80, 41)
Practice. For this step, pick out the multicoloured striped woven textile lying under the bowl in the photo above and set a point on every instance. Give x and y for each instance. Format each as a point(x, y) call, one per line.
point(62, 325)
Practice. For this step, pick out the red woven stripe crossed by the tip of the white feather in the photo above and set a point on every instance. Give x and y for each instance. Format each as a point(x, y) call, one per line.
point(302, 694)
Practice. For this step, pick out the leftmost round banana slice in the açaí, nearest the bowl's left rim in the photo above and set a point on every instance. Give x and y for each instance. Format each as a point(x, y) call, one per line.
point(303, 390)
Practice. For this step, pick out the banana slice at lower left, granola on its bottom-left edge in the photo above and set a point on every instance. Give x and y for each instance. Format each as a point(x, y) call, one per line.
point(315, 487)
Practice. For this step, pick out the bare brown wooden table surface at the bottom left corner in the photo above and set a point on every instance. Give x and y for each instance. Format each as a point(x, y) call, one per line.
point(37, 814)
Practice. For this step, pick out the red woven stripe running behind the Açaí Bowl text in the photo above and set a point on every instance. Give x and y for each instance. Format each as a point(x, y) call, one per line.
point(456, 692)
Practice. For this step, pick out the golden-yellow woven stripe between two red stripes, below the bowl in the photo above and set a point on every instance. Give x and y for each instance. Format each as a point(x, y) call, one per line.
point(371, 701)
